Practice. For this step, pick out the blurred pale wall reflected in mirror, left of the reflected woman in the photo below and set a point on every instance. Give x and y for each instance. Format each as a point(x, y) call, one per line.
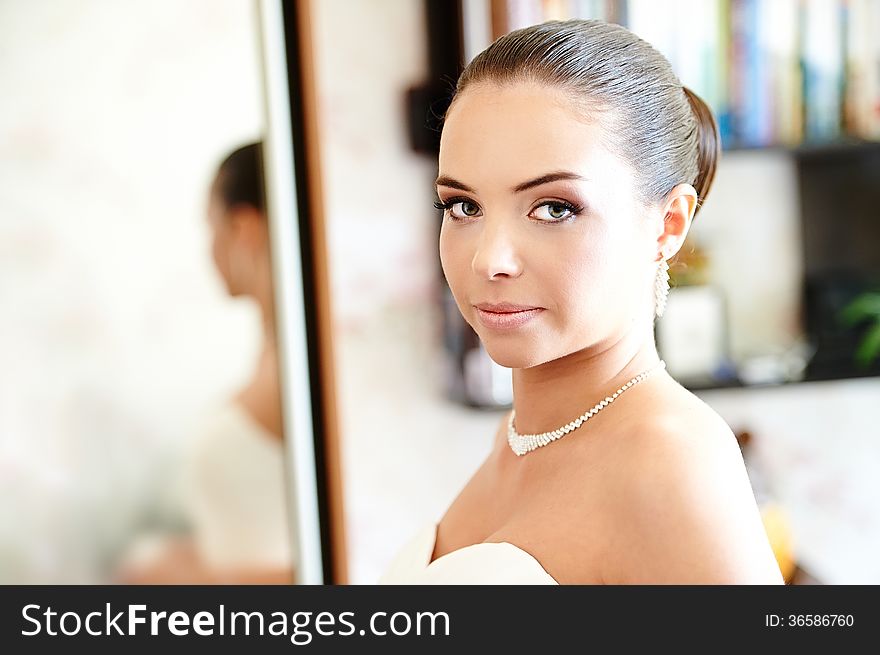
point(115, 332)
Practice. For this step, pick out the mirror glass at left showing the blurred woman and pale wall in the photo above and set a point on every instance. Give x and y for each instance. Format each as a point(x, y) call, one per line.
point(140, 427)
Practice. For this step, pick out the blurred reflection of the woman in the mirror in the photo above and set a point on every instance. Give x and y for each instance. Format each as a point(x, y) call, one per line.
point(235, 490)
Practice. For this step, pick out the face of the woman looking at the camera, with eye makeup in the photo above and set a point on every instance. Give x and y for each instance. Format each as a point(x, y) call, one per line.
point(540, 217)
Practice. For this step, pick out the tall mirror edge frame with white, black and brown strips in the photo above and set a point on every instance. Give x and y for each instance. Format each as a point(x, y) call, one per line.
point(292, 175)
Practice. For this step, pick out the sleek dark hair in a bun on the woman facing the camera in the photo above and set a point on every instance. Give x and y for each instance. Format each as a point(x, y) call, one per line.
point(663, 130)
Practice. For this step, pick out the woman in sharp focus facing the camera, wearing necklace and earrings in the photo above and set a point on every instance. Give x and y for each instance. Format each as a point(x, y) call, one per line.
point(572, 163)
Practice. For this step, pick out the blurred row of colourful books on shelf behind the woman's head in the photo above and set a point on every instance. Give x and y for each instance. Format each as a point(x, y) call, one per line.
point(776, 73)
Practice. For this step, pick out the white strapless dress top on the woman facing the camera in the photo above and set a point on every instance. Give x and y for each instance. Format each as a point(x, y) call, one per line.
point(482, 563)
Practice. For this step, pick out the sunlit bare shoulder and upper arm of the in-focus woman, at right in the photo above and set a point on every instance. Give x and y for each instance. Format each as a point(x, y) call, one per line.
point(682, 510)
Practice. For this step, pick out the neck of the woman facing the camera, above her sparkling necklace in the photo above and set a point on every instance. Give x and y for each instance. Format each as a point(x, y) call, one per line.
point(551, 394)
